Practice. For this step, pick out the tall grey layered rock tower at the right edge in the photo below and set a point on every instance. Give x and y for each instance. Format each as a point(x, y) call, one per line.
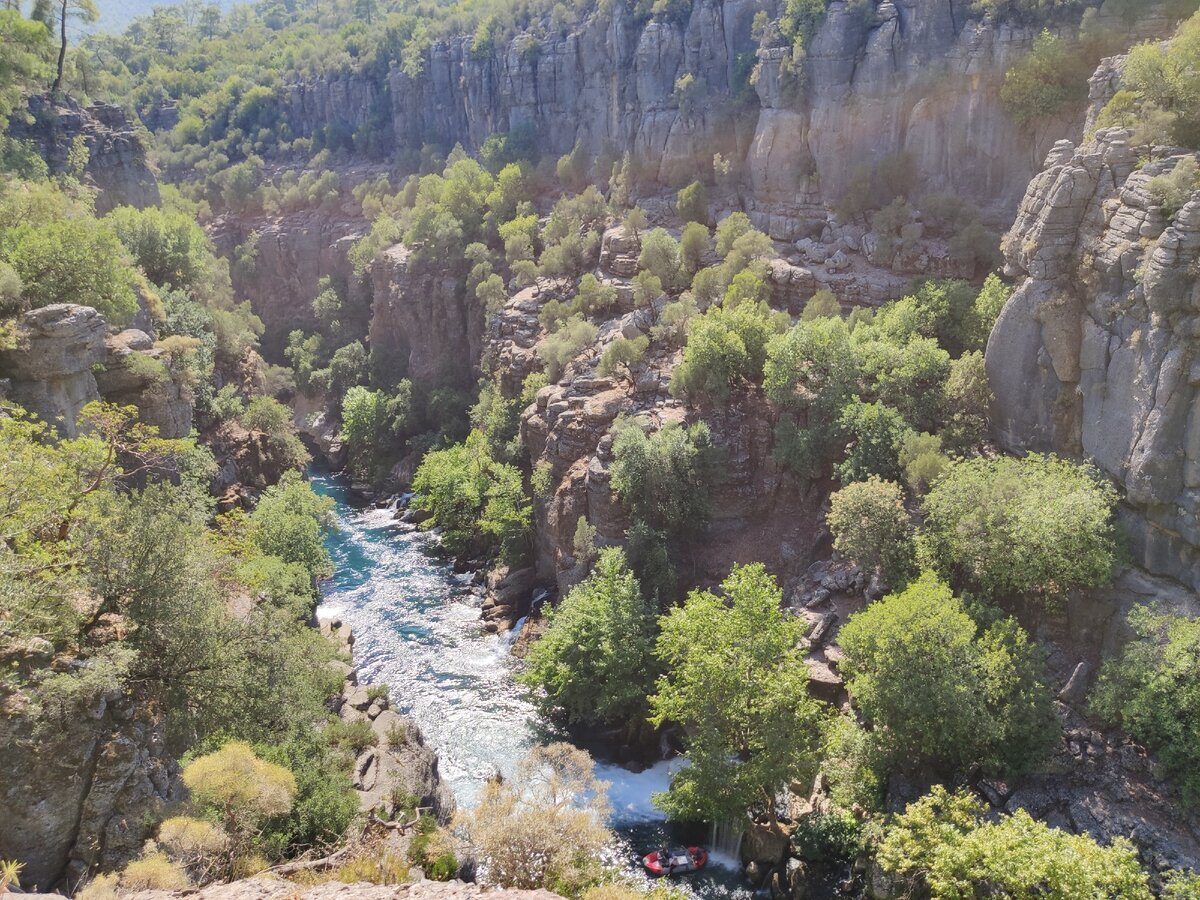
point(1096, 353)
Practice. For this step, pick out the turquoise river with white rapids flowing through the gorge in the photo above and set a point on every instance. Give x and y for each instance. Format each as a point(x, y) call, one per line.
point(418, 631)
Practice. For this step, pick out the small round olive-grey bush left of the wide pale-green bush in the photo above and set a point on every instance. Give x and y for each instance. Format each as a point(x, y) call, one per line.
point(872, 527)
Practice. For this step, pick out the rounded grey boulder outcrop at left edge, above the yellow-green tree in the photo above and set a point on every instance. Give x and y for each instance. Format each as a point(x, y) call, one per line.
point(51, 368)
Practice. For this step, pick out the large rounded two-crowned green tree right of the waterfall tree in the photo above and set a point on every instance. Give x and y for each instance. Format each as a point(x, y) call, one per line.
point(939, 692)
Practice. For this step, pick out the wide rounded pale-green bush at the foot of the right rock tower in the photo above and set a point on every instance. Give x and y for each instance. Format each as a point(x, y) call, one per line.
point(1035, 527)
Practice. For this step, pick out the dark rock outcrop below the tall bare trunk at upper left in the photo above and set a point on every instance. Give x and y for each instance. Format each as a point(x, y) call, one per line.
point(117, 153)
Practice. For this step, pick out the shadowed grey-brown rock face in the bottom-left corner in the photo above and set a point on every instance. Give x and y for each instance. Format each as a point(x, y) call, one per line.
point(87, 791)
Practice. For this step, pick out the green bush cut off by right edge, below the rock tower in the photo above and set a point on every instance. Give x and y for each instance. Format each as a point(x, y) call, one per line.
point(1153, 692)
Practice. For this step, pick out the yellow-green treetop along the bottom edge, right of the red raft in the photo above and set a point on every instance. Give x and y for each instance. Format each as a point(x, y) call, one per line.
point(944, 845)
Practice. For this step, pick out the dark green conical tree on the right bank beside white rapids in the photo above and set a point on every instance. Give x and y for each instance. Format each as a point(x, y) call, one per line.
point(595, 663)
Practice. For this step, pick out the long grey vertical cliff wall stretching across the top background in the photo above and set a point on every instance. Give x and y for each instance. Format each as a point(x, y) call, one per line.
point(919, 77)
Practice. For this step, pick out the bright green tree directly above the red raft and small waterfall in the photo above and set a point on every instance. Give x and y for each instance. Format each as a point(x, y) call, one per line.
point(739, 685)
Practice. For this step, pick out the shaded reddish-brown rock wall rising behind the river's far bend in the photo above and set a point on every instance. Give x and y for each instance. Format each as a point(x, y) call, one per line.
point(422, 317)
